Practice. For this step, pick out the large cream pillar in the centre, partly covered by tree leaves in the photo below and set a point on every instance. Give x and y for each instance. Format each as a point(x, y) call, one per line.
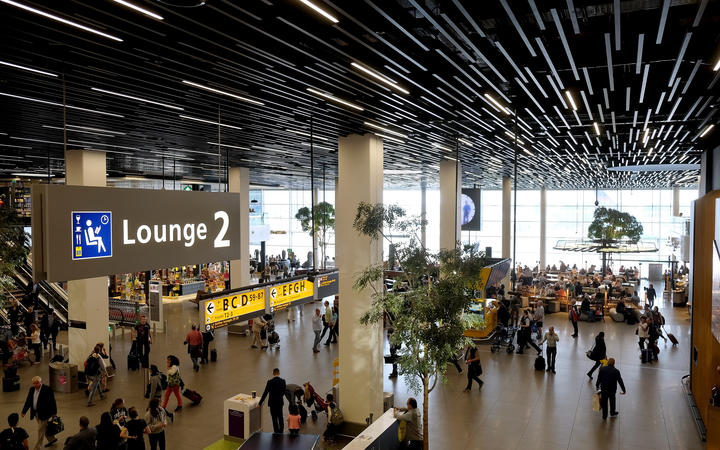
point(360, 170)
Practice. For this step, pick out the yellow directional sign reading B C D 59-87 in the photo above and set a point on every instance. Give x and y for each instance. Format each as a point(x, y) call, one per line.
point(238, 306)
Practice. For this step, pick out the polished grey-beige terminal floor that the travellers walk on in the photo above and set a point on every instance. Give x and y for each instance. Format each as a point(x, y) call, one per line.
point(516, 408)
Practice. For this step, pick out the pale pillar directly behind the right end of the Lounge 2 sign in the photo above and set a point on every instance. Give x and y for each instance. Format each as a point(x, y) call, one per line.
point(239, 181)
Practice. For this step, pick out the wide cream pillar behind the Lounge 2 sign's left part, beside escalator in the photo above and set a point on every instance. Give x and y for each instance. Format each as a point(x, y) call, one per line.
point(88, 298)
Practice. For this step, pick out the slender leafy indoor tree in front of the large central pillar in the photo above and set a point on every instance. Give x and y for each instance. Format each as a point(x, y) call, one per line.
point(427, 303)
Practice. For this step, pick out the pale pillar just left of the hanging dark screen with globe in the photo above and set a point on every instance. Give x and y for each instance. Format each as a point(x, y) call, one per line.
point(450, 190)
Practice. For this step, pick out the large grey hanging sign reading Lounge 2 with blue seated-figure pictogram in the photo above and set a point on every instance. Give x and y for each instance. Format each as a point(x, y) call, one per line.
point(83, 232)
